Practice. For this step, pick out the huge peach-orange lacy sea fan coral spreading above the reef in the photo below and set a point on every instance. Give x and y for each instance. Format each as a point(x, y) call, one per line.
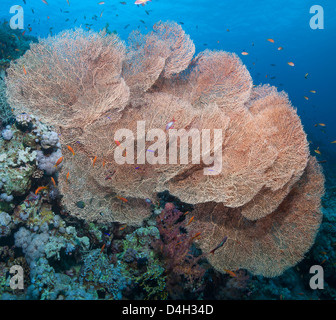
point(266, 196)
